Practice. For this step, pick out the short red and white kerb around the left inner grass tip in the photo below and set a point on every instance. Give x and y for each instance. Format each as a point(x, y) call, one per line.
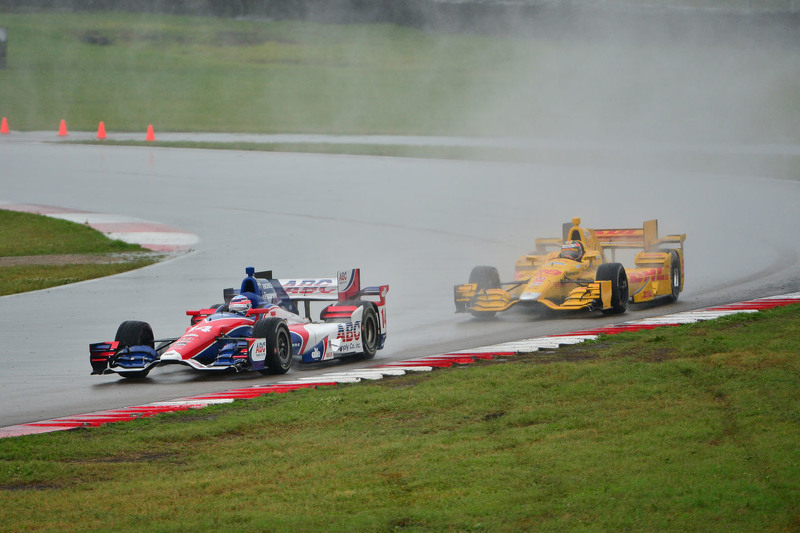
point(150, 235)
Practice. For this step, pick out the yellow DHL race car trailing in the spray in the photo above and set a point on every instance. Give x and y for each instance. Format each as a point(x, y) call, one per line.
point(573, 272)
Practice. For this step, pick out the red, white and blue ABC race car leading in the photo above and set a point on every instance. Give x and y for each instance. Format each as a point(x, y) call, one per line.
point(259, 327)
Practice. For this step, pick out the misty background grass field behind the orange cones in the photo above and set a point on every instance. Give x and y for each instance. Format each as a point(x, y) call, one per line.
point(205, 74)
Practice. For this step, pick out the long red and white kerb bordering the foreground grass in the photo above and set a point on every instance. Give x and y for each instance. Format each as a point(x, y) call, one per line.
point(419, 364)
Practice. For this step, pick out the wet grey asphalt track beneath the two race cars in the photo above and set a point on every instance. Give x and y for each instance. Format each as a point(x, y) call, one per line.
point(419, 225)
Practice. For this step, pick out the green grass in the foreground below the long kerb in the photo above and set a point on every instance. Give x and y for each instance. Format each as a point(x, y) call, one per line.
point(684, 428)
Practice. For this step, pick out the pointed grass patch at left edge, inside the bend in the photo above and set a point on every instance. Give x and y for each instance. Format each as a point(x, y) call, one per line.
point(26, 234)
